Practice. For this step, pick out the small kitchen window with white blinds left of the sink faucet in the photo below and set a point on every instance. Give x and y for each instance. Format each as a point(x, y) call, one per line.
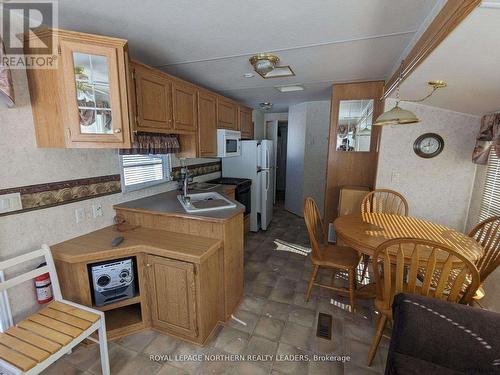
point(141, 171)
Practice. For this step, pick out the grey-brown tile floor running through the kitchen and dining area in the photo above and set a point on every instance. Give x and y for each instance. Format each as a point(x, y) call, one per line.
point(278, 323)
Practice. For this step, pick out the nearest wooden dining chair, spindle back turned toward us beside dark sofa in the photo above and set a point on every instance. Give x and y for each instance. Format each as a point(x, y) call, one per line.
point(397, 265)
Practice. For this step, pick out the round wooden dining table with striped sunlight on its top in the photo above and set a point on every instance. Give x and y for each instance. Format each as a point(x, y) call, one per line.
point(365, 232)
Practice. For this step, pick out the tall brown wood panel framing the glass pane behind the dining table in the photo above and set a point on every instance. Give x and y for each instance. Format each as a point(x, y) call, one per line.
point(351, 168)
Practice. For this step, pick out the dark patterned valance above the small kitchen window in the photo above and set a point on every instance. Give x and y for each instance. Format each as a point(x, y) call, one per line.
point(152, 143)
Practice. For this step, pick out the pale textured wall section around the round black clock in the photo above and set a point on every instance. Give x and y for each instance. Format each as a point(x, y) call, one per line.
point(438, 189)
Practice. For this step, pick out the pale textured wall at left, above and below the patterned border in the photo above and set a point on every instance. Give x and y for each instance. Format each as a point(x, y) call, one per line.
point(21, 163)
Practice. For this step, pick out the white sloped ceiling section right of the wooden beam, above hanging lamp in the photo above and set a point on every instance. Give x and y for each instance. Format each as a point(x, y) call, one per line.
point(469, 61)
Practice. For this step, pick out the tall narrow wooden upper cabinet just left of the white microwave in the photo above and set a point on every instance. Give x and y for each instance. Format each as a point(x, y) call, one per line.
point(207, 124)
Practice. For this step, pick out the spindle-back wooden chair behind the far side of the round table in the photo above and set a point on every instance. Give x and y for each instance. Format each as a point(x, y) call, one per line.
point(384, 201)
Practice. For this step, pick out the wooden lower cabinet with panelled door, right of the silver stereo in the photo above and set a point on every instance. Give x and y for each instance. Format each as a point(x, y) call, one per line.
point(185, 298)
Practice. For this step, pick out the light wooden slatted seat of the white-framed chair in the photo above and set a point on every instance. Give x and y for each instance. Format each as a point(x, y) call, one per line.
point(40, 335)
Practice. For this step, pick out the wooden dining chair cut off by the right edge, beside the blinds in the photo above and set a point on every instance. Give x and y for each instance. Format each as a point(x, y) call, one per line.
point(487, 234)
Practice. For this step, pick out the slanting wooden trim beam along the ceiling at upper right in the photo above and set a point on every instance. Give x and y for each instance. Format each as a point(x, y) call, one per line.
point(450, 16)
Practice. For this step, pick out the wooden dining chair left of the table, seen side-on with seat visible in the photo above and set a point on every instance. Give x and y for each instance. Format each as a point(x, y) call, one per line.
point(326, 255)
